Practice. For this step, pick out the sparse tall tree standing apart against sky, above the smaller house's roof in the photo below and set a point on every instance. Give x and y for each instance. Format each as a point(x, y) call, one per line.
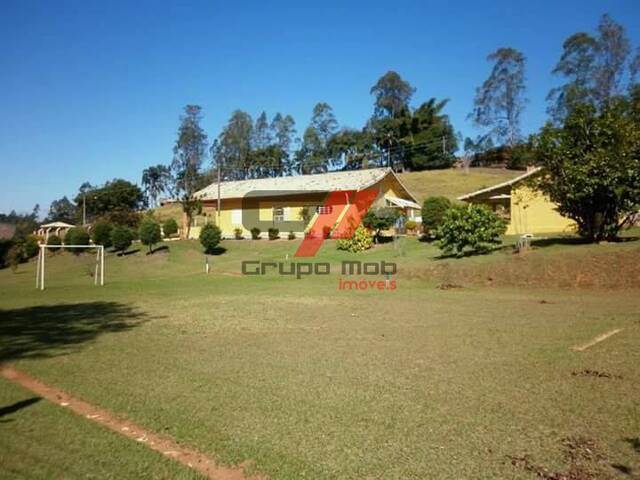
point(500, 100)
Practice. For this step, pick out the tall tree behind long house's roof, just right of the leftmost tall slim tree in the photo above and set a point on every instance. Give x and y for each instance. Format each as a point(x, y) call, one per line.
point(235, 146)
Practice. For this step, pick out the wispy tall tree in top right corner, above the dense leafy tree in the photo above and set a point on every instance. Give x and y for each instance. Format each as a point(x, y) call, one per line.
point(595, 69)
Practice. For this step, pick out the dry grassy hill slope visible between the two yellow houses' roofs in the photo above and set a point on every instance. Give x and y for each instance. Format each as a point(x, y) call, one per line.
point(454, 182)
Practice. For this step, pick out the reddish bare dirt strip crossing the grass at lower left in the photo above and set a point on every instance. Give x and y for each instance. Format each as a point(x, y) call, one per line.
point(160, 443)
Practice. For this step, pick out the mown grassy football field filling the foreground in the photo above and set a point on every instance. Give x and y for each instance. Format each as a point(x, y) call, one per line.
point(309, 381)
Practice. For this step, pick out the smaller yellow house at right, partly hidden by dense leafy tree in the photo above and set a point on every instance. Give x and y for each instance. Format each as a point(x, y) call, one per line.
point(526, 209)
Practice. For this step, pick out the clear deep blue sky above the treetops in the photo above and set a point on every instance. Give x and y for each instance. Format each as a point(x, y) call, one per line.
point(93, 90)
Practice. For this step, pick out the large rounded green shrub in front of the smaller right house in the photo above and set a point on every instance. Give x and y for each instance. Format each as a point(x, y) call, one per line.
point(473, 228)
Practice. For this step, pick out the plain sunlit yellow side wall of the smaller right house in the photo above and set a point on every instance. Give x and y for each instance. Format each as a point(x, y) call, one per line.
point(533, 212)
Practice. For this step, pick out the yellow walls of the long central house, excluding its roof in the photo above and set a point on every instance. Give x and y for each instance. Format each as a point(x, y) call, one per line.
point(231, 209)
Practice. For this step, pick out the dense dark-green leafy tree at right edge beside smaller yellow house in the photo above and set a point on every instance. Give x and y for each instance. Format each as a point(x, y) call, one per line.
point(592, 167)
